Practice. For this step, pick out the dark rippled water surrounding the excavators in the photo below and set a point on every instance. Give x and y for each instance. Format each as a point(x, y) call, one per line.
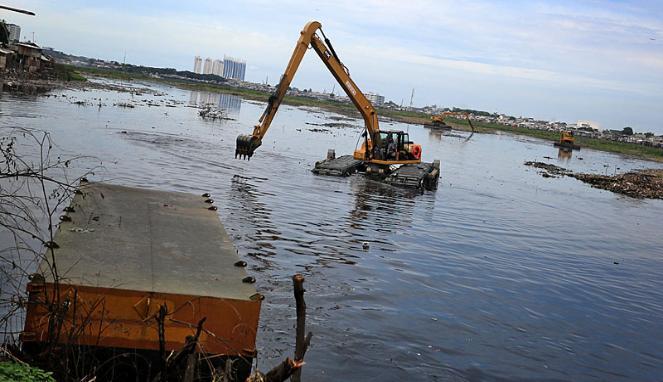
point(500, 274)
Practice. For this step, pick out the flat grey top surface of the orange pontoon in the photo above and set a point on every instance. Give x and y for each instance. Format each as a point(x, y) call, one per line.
point(146, 240)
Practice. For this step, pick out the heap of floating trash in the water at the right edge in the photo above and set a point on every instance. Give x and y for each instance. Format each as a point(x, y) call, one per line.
point(636, 184)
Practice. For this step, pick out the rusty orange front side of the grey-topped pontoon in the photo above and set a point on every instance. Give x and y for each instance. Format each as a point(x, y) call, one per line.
point(123, 318)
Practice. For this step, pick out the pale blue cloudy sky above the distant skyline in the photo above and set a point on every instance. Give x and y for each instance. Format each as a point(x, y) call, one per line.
point(599, 61)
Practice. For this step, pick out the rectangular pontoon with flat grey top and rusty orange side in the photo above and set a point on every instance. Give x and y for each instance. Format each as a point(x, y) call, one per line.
point(122, 253)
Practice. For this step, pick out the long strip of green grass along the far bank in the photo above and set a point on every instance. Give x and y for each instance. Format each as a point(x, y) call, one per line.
point(412, 117)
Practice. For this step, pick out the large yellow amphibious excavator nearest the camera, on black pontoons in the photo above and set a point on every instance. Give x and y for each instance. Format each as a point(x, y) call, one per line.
point(389, 155)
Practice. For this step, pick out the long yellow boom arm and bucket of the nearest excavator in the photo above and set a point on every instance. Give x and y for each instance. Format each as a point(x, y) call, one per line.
point(246, 144)
